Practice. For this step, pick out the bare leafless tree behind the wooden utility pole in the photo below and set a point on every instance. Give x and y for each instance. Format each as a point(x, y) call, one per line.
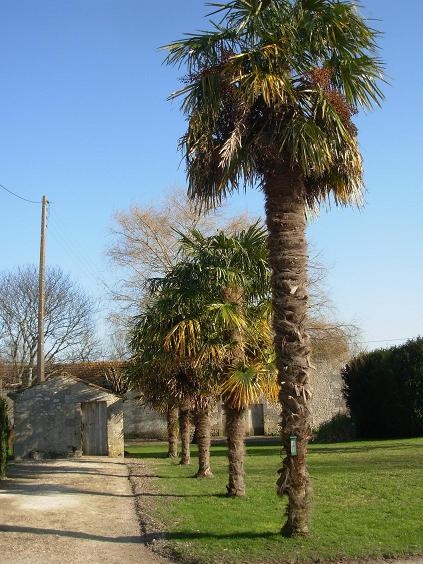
point(68, 325)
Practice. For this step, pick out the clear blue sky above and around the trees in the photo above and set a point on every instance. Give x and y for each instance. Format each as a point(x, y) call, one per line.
point(84, 120)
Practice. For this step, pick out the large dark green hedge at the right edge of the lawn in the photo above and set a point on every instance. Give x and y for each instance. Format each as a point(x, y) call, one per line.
point(384, 391)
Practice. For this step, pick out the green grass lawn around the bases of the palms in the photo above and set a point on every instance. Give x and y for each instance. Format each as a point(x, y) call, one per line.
point(368, 503)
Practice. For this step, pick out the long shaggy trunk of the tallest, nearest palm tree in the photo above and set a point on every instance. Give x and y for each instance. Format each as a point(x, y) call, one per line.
point(286, 222)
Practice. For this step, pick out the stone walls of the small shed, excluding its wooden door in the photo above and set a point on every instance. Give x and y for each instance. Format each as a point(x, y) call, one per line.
point(47, 418)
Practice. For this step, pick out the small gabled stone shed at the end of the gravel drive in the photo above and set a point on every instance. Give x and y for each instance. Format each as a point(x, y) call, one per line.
point(65, 416)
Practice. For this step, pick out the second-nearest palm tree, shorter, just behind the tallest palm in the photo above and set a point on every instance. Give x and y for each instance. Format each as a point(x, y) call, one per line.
point(227, 333)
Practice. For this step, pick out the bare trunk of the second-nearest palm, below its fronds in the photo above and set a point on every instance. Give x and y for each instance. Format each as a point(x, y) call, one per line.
point(235, 433)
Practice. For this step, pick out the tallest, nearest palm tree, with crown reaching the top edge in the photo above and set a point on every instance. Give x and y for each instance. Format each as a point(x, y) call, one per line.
point(269, 96)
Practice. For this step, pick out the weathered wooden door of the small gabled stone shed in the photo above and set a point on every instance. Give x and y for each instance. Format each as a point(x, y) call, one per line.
point(94, 428)
